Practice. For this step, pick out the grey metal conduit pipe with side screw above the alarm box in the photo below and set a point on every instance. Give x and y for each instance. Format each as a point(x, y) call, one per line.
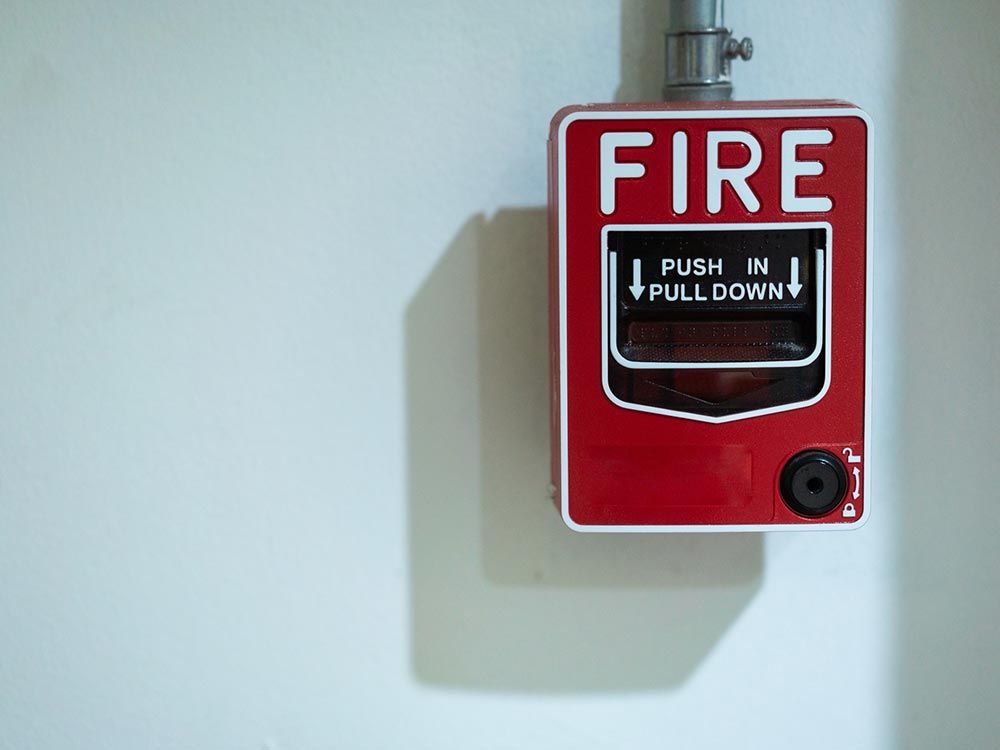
point(699, 52)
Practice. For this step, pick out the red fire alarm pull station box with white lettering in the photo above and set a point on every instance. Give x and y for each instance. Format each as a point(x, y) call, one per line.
point(711, 316)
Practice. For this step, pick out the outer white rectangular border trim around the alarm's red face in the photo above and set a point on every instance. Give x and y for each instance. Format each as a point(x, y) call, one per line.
point(869, 270)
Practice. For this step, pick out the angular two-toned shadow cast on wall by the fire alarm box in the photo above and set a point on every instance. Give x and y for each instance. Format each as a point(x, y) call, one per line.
point(503, 596)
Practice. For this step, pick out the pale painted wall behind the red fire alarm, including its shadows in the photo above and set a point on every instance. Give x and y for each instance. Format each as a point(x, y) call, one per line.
point(273, 434)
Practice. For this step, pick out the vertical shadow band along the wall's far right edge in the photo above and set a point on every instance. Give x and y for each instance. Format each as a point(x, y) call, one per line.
point(949, 599)
